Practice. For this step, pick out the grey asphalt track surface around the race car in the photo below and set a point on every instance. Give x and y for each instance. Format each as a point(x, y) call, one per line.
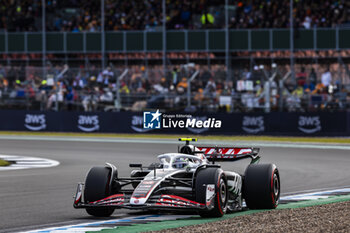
point(35, 198)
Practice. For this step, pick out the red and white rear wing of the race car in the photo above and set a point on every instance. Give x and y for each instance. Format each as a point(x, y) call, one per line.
point(229, 153)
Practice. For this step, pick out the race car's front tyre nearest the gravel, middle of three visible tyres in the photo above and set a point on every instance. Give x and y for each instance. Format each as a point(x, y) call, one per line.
point(216, 177)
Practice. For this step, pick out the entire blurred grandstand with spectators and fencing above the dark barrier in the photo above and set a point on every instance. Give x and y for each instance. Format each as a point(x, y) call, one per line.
point(194, 56)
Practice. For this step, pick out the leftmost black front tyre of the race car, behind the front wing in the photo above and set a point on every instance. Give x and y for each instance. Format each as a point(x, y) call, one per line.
point(97, 187)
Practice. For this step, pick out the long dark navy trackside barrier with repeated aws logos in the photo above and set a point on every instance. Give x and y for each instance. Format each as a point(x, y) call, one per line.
point(275, 123)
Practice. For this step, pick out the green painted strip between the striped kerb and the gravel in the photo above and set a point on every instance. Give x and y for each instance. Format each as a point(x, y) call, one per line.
point(156, 226)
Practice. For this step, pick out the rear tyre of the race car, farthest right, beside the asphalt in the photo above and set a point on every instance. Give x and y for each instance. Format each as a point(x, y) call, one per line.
point(261, 186)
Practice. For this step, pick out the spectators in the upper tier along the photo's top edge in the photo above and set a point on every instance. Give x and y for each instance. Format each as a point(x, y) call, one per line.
point(78, 15)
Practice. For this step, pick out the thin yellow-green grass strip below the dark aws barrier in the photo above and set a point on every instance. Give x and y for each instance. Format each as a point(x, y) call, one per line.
point(343, 140)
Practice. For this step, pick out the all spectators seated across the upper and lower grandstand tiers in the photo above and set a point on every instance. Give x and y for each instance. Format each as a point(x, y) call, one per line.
point(89, 88)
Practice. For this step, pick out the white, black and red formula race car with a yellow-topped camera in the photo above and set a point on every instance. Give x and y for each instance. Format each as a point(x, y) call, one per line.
point(183, 181)
